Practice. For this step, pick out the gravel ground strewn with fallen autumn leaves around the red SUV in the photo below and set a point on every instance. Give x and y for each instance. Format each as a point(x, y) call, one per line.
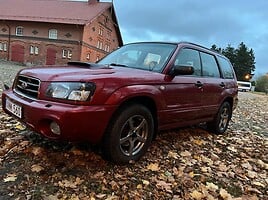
point(187, 163)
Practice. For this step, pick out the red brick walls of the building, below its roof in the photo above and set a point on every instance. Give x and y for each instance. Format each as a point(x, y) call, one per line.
point(81, 41)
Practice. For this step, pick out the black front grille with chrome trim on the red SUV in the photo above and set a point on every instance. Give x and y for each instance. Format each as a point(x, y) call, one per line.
point(27, 86)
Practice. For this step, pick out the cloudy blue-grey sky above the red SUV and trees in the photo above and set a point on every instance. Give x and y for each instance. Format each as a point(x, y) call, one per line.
point(205, 22)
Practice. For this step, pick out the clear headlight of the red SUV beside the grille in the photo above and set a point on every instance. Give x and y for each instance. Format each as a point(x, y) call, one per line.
point(74, 91)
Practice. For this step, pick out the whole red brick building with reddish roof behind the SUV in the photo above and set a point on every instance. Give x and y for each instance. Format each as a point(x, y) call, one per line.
point(56, 31)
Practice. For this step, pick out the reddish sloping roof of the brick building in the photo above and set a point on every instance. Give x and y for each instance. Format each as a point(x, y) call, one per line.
point(52, 11)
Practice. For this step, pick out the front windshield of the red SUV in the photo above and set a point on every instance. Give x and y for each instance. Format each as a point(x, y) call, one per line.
point(145, 56)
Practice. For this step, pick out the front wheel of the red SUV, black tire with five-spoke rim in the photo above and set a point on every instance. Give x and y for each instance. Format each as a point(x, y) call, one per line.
point(129, 134)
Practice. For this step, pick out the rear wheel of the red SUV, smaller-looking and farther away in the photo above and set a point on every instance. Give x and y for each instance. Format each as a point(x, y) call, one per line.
point(221, 121)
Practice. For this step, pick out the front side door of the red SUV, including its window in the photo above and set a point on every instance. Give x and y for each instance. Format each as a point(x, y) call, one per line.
point(184, 93)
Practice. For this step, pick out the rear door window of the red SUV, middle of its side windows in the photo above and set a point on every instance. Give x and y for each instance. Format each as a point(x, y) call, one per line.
point(209, 65)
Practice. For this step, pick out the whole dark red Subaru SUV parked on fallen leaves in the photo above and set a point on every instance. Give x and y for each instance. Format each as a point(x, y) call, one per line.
point(122, 101)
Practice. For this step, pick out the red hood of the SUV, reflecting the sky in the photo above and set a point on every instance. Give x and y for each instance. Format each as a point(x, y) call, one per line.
point(78, 73)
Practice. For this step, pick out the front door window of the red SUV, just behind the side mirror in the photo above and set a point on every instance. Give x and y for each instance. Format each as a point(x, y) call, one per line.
point(189, 57)
